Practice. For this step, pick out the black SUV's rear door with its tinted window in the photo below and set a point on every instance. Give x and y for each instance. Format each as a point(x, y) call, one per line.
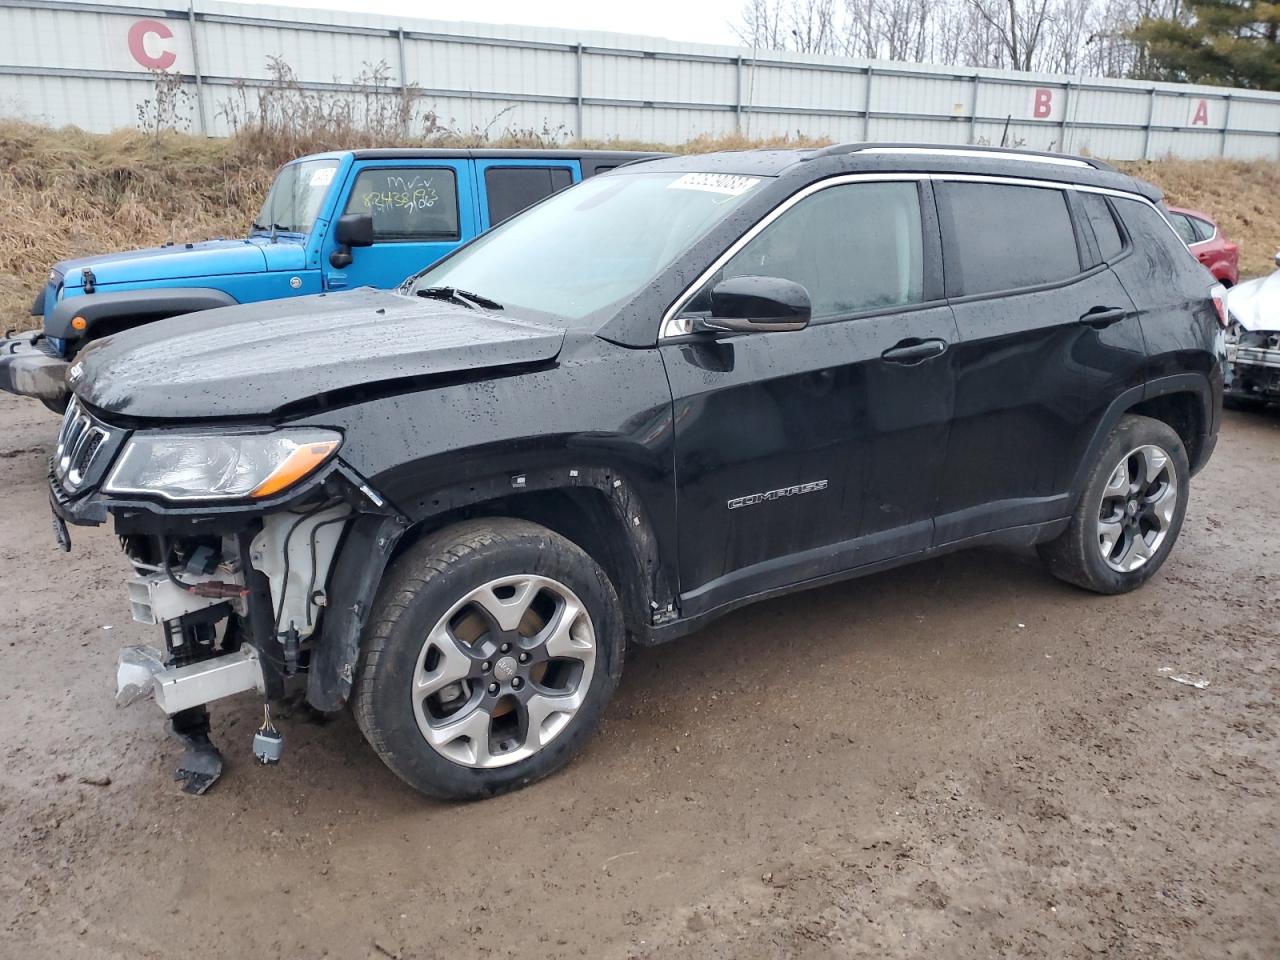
point(1048, 339)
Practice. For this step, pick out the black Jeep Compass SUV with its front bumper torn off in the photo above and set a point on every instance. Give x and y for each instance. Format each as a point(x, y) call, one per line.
point(668, 392)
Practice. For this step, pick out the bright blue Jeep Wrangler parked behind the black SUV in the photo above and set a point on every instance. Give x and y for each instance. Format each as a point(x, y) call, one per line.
point(365, 218)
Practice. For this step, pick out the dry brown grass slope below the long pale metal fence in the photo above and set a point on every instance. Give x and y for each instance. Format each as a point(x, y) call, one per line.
point(74, 194)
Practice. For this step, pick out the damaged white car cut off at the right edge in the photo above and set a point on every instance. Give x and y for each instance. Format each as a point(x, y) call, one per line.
point(1254, 340)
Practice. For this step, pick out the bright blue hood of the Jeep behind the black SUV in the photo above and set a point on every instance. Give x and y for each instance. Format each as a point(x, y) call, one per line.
point(177, 262)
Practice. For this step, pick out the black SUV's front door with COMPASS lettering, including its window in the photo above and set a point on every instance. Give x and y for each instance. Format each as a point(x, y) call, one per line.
point(802, 455)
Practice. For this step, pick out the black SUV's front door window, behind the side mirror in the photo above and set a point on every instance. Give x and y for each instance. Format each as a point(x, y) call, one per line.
point(854, 248)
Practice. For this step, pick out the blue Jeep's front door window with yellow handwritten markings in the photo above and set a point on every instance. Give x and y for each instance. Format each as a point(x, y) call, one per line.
point(413, 204)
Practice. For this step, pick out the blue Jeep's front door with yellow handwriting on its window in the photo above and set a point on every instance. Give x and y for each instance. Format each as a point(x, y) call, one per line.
point(422, 212)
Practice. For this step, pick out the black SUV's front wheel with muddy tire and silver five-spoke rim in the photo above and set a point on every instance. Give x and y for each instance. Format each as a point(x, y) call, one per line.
point(495, 648)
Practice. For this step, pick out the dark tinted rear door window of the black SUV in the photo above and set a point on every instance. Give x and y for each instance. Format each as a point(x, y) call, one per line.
point(1005, 237)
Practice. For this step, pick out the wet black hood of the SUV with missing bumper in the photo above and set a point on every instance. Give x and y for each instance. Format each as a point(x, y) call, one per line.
point(254, 360)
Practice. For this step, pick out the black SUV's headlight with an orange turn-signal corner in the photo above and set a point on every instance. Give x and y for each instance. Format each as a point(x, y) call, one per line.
point(220, 467)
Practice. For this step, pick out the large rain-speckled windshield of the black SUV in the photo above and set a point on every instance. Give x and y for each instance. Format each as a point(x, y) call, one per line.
point(595, 245)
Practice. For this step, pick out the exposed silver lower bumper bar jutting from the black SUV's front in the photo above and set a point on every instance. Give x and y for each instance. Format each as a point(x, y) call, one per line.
point(141, 674)
